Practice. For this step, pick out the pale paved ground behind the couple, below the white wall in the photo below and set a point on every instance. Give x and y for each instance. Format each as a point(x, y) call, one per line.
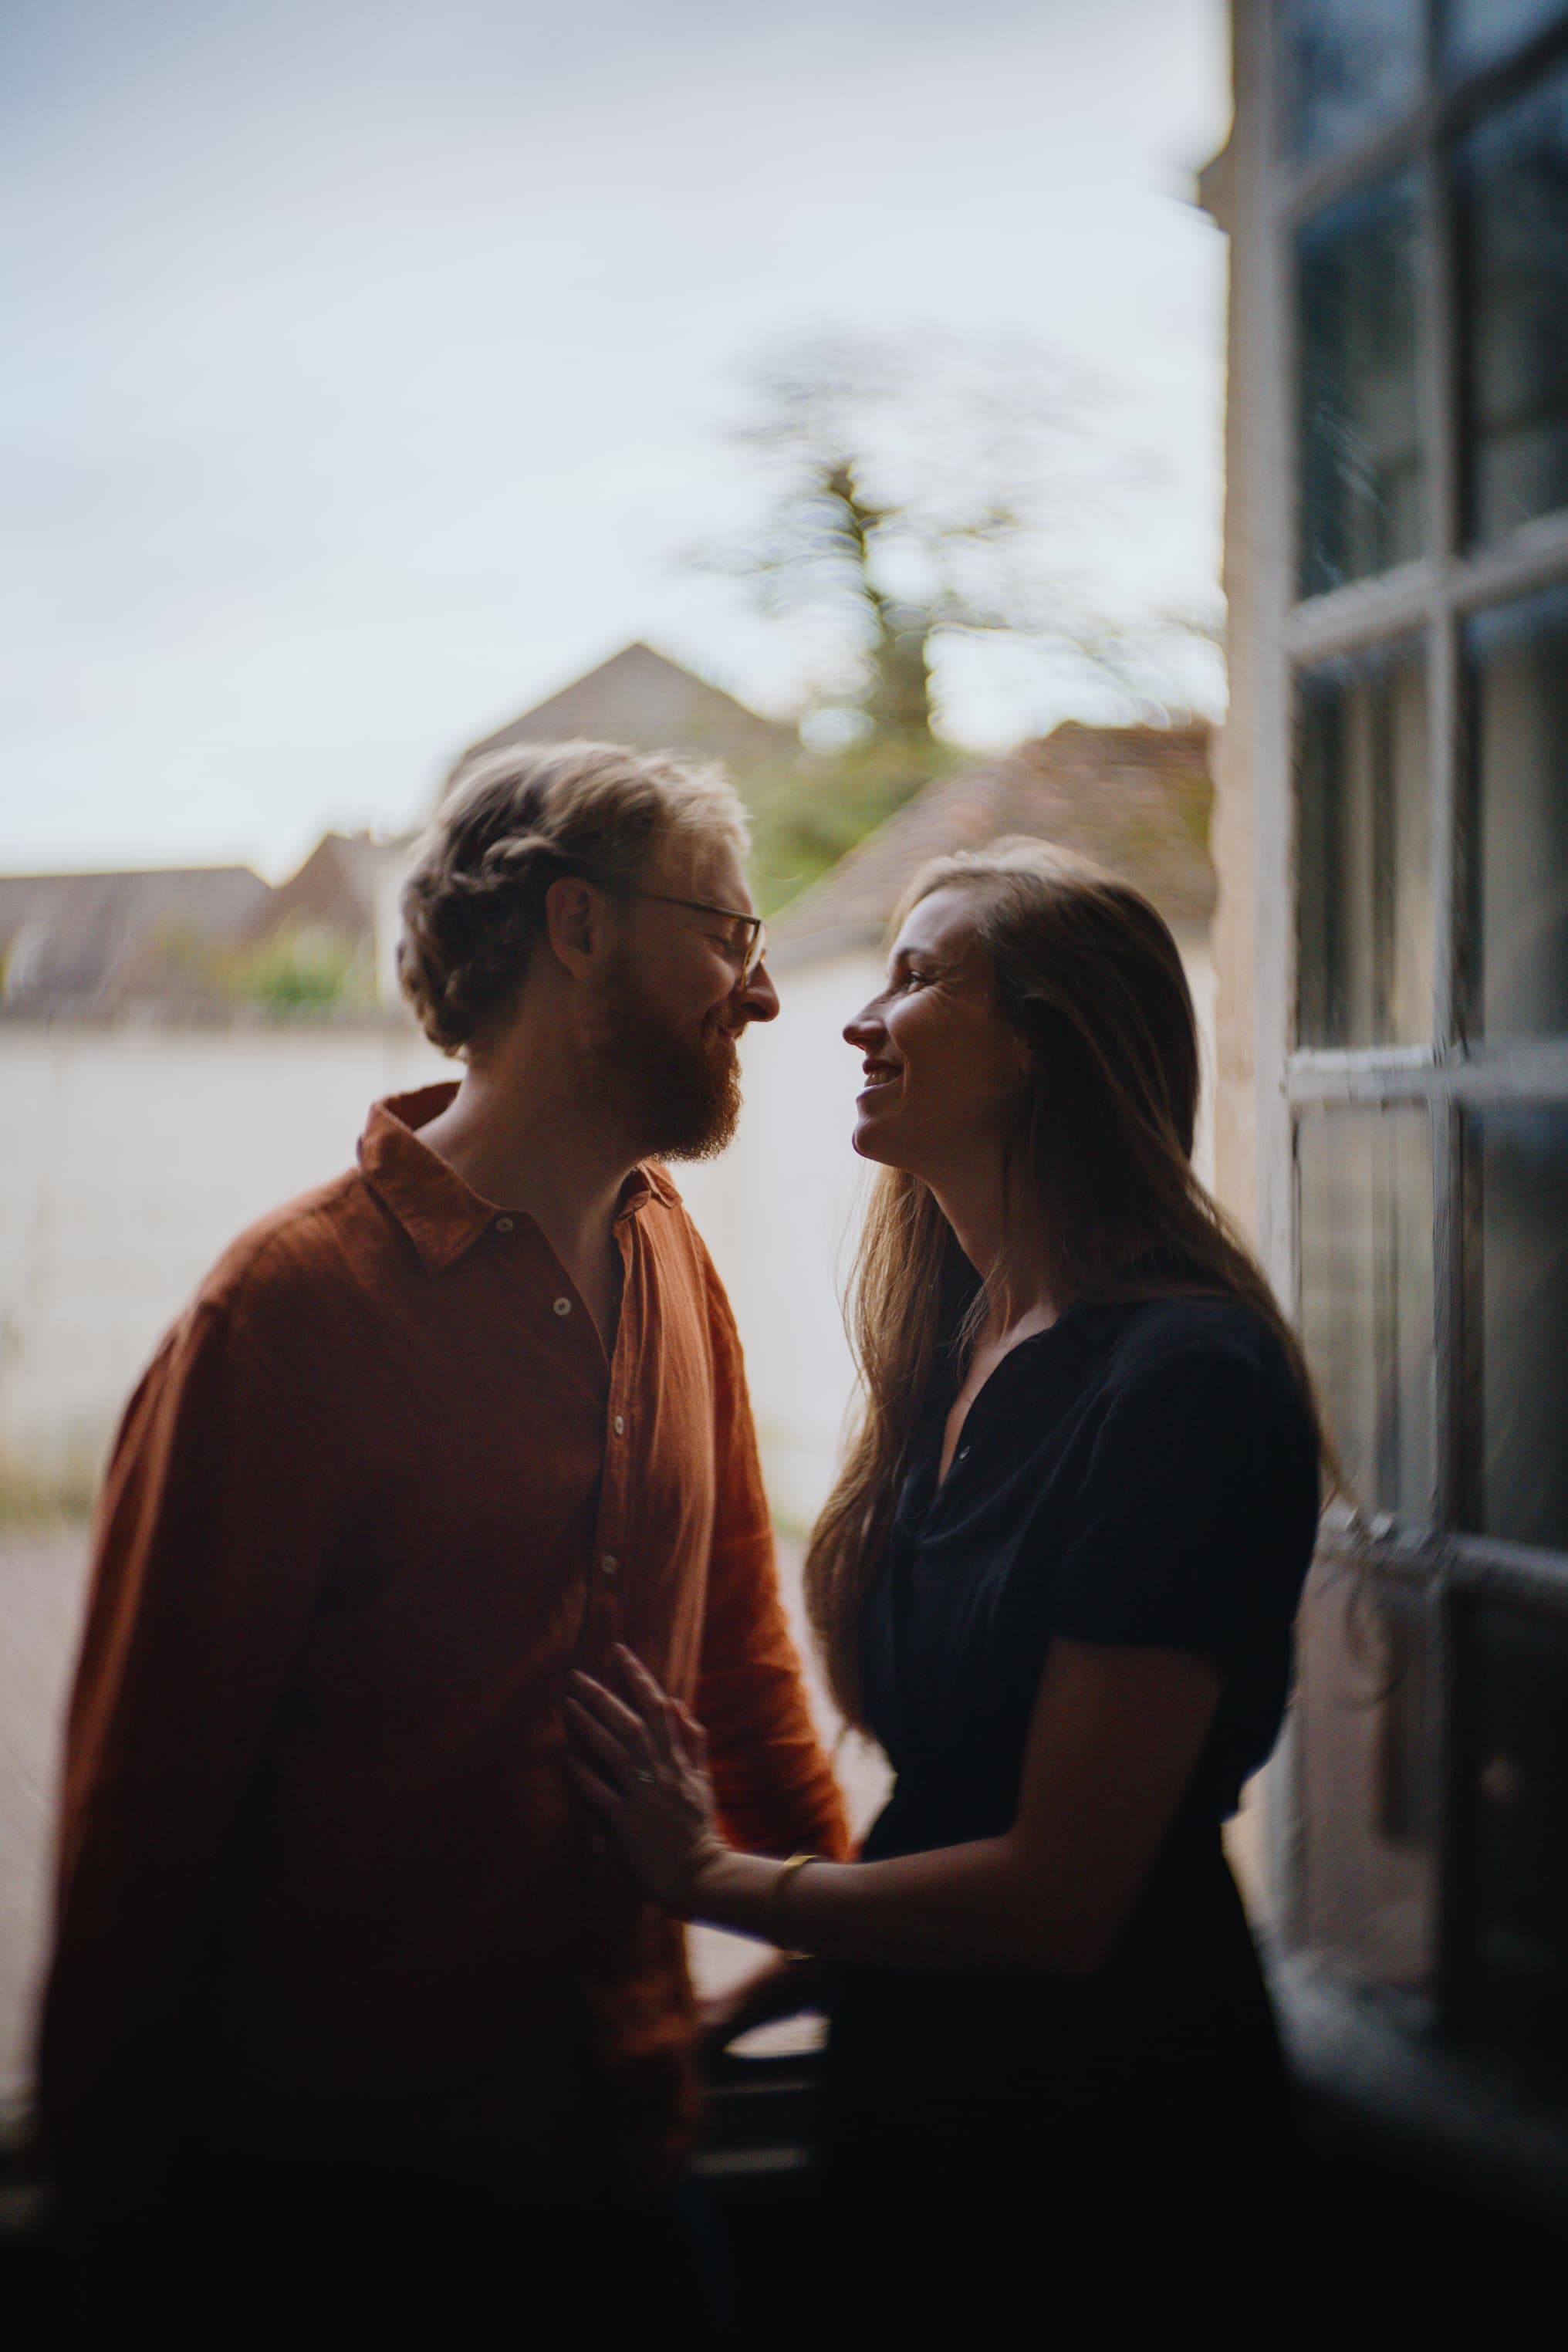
point(41, 1603)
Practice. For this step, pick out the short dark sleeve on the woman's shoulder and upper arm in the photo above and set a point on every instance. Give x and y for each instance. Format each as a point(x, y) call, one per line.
point(1177, 1537)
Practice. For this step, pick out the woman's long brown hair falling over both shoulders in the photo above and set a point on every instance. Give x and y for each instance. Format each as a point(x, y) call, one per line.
point(1092, 977)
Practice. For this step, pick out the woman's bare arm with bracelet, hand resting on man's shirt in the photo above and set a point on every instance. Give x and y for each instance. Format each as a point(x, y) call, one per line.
point(1113, 1744)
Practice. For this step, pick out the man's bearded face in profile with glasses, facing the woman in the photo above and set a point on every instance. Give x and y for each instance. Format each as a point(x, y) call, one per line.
point(674, 1005)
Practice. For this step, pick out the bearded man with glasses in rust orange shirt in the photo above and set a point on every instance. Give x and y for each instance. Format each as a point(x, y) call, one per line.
point(347, 1984)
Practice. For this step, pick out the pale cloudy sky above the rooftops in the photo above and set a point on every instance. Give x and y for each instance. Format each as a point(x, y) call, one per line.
point(373, 361)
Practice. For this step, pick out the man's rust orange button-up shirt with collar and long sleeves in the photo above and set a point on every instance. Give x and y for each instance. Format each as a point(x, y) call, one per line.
point(326, 1883)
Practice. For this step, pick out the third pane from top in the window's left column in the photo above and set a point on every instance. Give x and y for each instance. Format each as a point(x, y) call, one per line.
point(1365, 869)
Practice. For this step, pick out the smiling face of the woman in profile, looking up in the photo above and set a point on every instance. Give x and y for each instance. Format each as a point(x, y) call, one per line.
point(944, 1071)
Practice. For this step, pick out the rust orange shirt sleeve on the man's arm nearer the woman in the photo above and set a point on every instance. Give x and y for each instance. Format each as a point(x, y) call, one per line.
point(772, 1779)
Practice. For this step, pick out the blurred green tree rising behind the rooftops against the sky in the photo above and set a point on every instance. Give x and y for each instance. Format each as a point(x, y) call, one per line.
point(918, 497)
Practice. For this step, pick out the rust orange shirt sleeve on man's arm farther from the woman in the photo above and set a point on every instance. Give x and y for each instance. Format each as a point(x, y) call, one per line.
point(210, 1546)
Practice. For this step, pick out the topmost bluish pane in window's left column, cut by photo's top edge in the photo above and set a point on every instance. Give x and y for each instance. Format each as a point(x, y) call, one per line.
point(1351, 67)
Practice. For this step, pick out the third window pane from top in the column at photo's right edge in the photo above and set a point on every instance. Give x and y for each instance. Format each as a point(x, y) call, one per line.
point(1520, 817)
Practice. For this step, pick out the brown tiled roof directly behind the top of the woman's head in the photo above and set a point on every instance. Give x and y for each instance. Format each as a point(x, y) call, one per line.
point(1130, 799)
